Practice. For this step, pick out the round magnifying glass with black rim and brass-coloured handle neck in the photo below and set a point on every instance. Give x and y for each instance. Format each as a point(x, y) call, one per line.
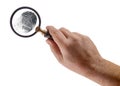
point(26, 22)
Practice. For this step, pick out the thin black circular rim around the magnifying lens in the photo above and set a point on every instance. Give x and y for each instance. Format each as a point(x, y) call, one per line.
point(24, 7)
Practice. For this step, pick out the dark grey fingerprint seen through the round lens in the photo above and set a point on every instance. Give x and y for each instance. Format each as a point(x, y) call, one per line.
point(28, 21)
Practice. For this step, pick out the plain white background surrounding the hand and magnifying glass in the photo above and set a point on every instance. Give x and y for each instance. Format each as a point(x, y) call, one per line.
point(29, 61)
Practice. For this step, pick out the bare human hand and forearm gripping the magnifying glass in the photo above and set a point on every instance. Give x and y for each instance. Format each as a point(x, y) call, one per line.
point(78, 53)
